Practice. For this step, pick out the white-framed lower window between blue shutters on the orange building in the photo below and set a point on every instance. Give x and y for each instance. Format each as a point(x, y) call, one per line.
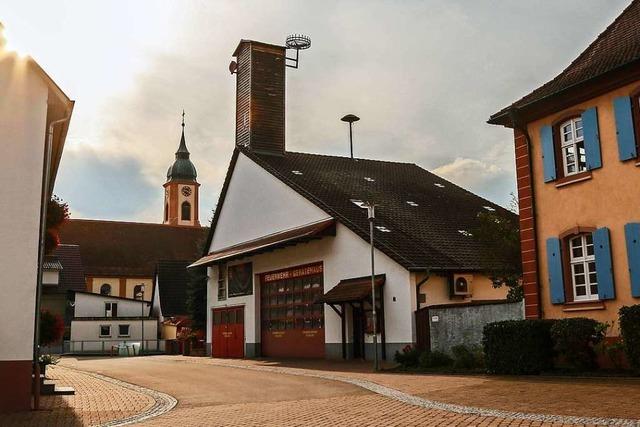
point(583, 268)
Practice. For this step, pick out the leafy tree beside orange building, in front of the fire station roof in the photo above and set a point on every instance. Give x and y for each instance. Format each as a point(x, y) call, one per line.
point(499, 238)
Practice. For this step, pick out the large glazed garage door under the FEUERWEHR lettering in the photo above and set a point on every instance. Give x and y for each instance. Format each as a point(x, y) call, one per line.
point(292, 325)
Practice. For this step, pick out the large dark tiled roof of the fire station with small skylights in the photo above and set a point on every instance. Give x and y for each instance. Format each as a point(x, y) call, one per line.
point(425, 236)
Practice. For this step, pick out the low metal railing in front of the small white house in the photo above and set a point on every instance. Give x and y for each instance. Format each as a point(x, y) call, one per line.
point(119, 347)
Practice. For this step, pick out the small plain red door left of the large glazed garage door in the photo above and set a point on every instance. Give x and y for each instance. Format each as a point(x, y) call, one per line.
point(228, 332)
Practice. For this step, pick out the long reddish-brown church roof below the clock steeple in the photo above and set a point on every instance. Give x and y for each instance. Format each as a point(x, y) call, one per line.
point(113, 248)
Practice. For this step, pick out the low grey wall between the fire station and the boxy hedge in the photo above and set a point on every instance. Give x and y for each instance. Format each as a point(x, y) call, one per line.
point(444, 326)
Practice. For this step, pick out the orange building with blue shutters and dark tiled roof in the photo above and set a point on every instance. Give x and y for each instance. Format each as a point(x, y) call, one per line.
point(576, 145)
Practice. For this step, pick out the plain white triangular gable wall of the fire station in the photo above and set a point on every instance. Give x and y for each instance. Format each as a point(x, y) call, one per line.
point(258, 204)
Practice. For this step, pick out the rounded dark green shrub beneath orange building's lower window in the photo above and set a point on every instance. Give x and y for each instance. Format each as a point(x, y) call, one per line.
point(574, 341)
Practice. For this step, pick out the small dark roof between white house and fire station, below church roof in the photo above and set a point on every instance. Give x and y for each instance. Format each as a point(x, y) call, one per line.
point(172, 287)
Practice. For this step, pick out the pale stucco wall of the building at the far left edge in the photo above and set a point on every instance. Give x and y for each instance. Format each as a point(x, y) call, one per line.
point(23, 110)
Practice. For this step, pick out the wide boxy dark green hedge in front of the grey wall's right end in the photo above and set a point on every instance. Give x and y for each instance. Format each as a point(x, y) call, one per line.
point(518, 346)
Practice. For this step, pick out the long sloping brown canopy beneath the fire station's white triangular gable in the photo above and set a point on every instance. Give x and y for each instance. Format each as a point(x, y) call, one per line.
point(271, 242)
